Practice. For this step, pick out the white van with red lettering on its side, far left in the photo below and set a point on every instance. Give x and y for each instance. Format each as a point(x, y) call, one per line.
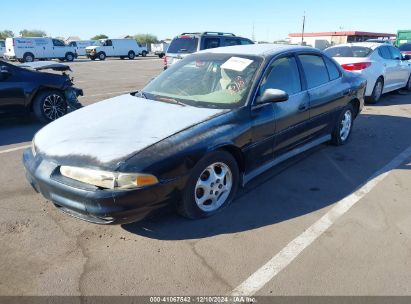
point(29, 49)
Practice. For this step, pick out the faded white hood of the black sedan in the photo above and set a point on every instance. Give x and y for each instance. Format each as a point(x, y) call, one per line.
point(107, 132)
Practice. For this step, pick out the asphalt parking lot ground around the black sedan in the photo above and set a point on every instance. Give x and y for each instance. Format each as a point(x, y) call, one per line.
point(334, 221)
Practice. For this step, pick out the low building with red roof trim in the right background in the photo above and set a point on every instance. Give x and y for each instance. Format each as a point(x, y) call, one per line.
point(323, 40)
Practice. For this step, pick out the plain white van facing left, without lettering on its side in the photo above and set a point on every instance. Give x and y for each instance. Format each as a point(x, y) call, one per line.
point(116, 48)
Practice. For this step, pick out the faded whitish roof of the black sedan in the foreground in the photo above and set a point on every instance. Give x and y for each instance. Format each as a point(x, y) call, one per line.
point(258, 49)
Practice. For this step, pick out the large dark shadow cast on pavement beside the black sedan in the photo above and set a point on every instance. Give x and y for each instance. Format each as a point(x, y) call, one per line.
point(307, 183)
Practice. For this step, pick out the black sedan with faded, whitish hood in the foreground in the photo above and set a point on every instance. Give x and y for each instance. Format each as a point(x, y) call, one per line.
point(194, 134)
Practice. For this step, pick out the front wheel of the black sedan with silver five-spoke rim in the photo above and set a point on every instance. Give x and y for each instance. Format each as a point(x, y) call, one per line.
point(211, 186)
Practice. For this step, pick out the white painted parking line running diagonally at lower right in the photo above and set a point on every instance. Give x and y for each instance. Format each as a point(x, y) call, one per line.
point(282, 259)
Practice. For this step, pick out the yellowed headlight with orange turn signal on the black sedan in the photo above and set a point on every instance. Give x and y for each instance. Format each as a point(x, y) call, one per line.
point(107, 179)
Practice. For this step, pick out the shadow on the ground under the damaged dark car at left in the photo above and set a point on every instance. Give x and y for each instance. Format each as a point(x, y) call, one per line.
point(19, 129)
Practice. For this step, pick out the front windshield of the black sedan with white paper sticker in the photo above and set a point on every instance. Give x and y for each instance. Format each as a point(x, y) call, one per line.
point(206, 80)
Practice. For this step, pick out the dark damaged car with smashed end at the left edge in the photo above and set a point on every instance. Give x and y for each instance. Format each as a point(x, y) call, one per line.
point(27, 88)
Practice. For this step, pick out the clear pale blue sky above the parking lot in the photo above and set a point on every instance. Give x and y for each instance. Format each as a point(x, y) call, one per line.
point(272, 20)
